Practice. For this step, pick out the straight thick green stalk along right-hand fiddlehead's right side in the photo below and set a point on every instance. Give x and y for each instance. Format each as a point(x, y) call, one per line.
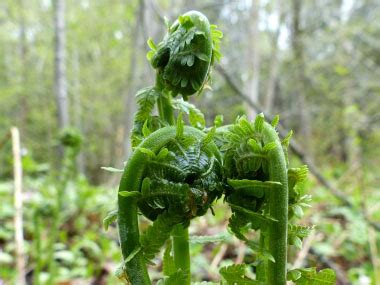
point(278, 209)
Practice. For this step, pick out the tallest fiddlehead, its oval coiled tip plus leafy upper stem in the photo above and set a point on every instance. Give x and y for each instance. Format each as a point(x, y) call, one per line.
point(183, 61)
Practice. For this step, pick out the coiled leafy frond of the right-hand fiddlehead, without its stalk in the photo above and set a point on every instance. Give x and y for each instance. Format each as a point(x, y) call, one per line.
point(246, 164)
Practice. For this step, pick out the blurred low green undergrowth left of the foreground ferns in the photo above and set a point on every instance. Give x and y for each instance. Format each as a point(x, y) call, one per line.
point(82, 248)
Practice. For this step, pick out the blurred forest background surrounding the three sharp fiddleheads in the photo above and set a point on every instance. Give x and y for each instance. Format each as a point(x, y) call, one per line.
point(78, 64)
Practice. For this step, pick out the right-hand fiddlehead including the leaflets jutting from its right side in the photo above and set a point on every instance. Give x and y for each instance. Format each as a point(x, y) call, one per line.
point(264, 196)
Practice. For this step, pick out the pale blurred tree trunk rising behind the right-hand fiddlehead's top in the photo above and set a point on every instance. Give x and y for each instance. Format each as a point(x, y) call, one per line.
point(254, 59)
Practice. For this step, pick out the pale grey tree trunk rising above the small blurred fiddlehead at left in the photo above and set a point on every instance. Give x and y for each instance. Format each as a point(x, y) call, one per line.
point(60, 65)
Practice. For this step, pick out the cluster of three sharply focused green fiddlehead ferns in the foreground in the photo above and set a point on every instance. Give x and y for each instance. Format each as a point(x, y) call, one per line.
point(177, 171)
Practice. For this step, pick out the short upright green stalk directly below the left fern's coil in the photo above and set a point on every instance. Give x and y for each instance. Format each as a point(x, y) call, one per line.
point(181, 250)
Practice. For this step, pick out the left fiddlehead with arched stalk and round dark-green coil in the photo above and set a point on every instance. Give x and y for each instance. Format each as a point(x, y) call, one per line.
point(173, 176)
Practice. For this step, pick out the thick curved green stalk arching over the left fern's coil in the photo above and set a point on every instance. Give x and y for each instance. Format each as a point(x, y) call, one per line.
point(135, 269)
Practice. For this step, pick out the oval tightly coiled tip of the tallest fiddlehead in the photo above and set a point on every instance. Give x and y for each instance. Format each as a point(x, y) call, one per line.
point(184, 57)
